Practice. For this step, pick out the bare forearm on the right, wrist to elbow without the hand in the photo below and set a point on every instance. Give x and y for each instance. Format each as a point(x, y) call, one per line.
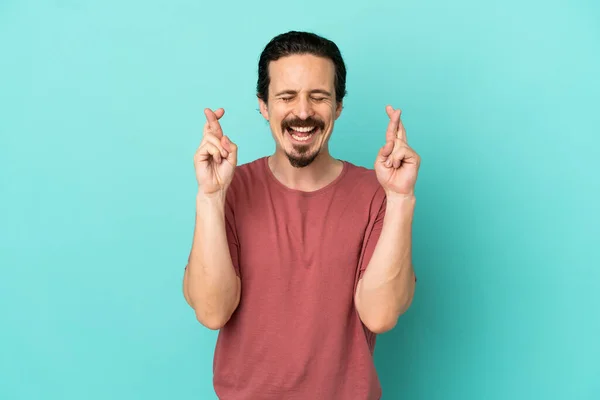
point(387, 286)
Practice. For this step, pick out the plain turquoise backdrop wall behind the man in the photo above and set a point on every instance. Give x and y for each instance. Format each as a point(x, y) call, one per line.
point(100, 115)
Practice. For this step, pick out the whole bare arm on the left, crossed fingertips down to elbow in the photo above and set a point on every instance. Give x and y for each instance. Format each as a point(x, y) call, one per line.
point(210, 284)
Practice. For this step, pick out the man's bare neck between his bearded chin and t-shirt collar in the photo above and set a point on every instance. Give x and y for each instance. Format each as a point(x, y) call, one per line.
point(321, 172)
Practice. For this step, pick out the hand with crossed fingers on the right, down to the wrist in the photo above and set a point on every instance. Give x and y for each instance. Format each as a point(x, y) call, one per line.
point(397, 165)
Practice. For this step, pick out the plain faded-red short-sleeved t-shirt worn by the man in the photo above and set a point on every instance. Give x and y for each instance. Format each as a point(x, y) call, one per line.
point(296, 334)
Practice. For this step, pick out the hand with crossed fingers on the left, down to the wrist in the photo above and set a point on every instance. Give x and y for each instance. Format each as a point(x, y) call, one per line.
point(216, 157)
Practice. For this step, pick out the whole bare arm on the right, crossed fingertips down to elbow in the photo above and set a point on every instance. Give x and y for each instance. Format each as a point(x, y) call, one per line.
point(386, 288)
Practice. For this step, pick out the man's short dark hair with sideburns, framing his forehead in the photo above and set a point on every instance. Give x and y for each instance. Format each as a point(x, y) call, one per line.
point(294, 42)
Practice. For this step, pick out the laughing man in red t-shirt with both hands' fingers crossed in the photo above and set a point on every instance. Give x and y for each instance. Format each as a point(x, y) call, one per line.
point(300, 259)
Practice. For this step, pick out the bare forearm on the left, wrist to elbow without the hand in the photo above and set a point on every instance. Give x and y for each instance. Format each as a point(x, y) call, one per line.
point(211, 285)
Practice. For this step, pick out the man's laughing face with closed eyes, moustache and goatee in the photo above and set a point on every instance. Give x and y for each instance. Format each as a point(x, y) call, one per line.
point(301, 107)
